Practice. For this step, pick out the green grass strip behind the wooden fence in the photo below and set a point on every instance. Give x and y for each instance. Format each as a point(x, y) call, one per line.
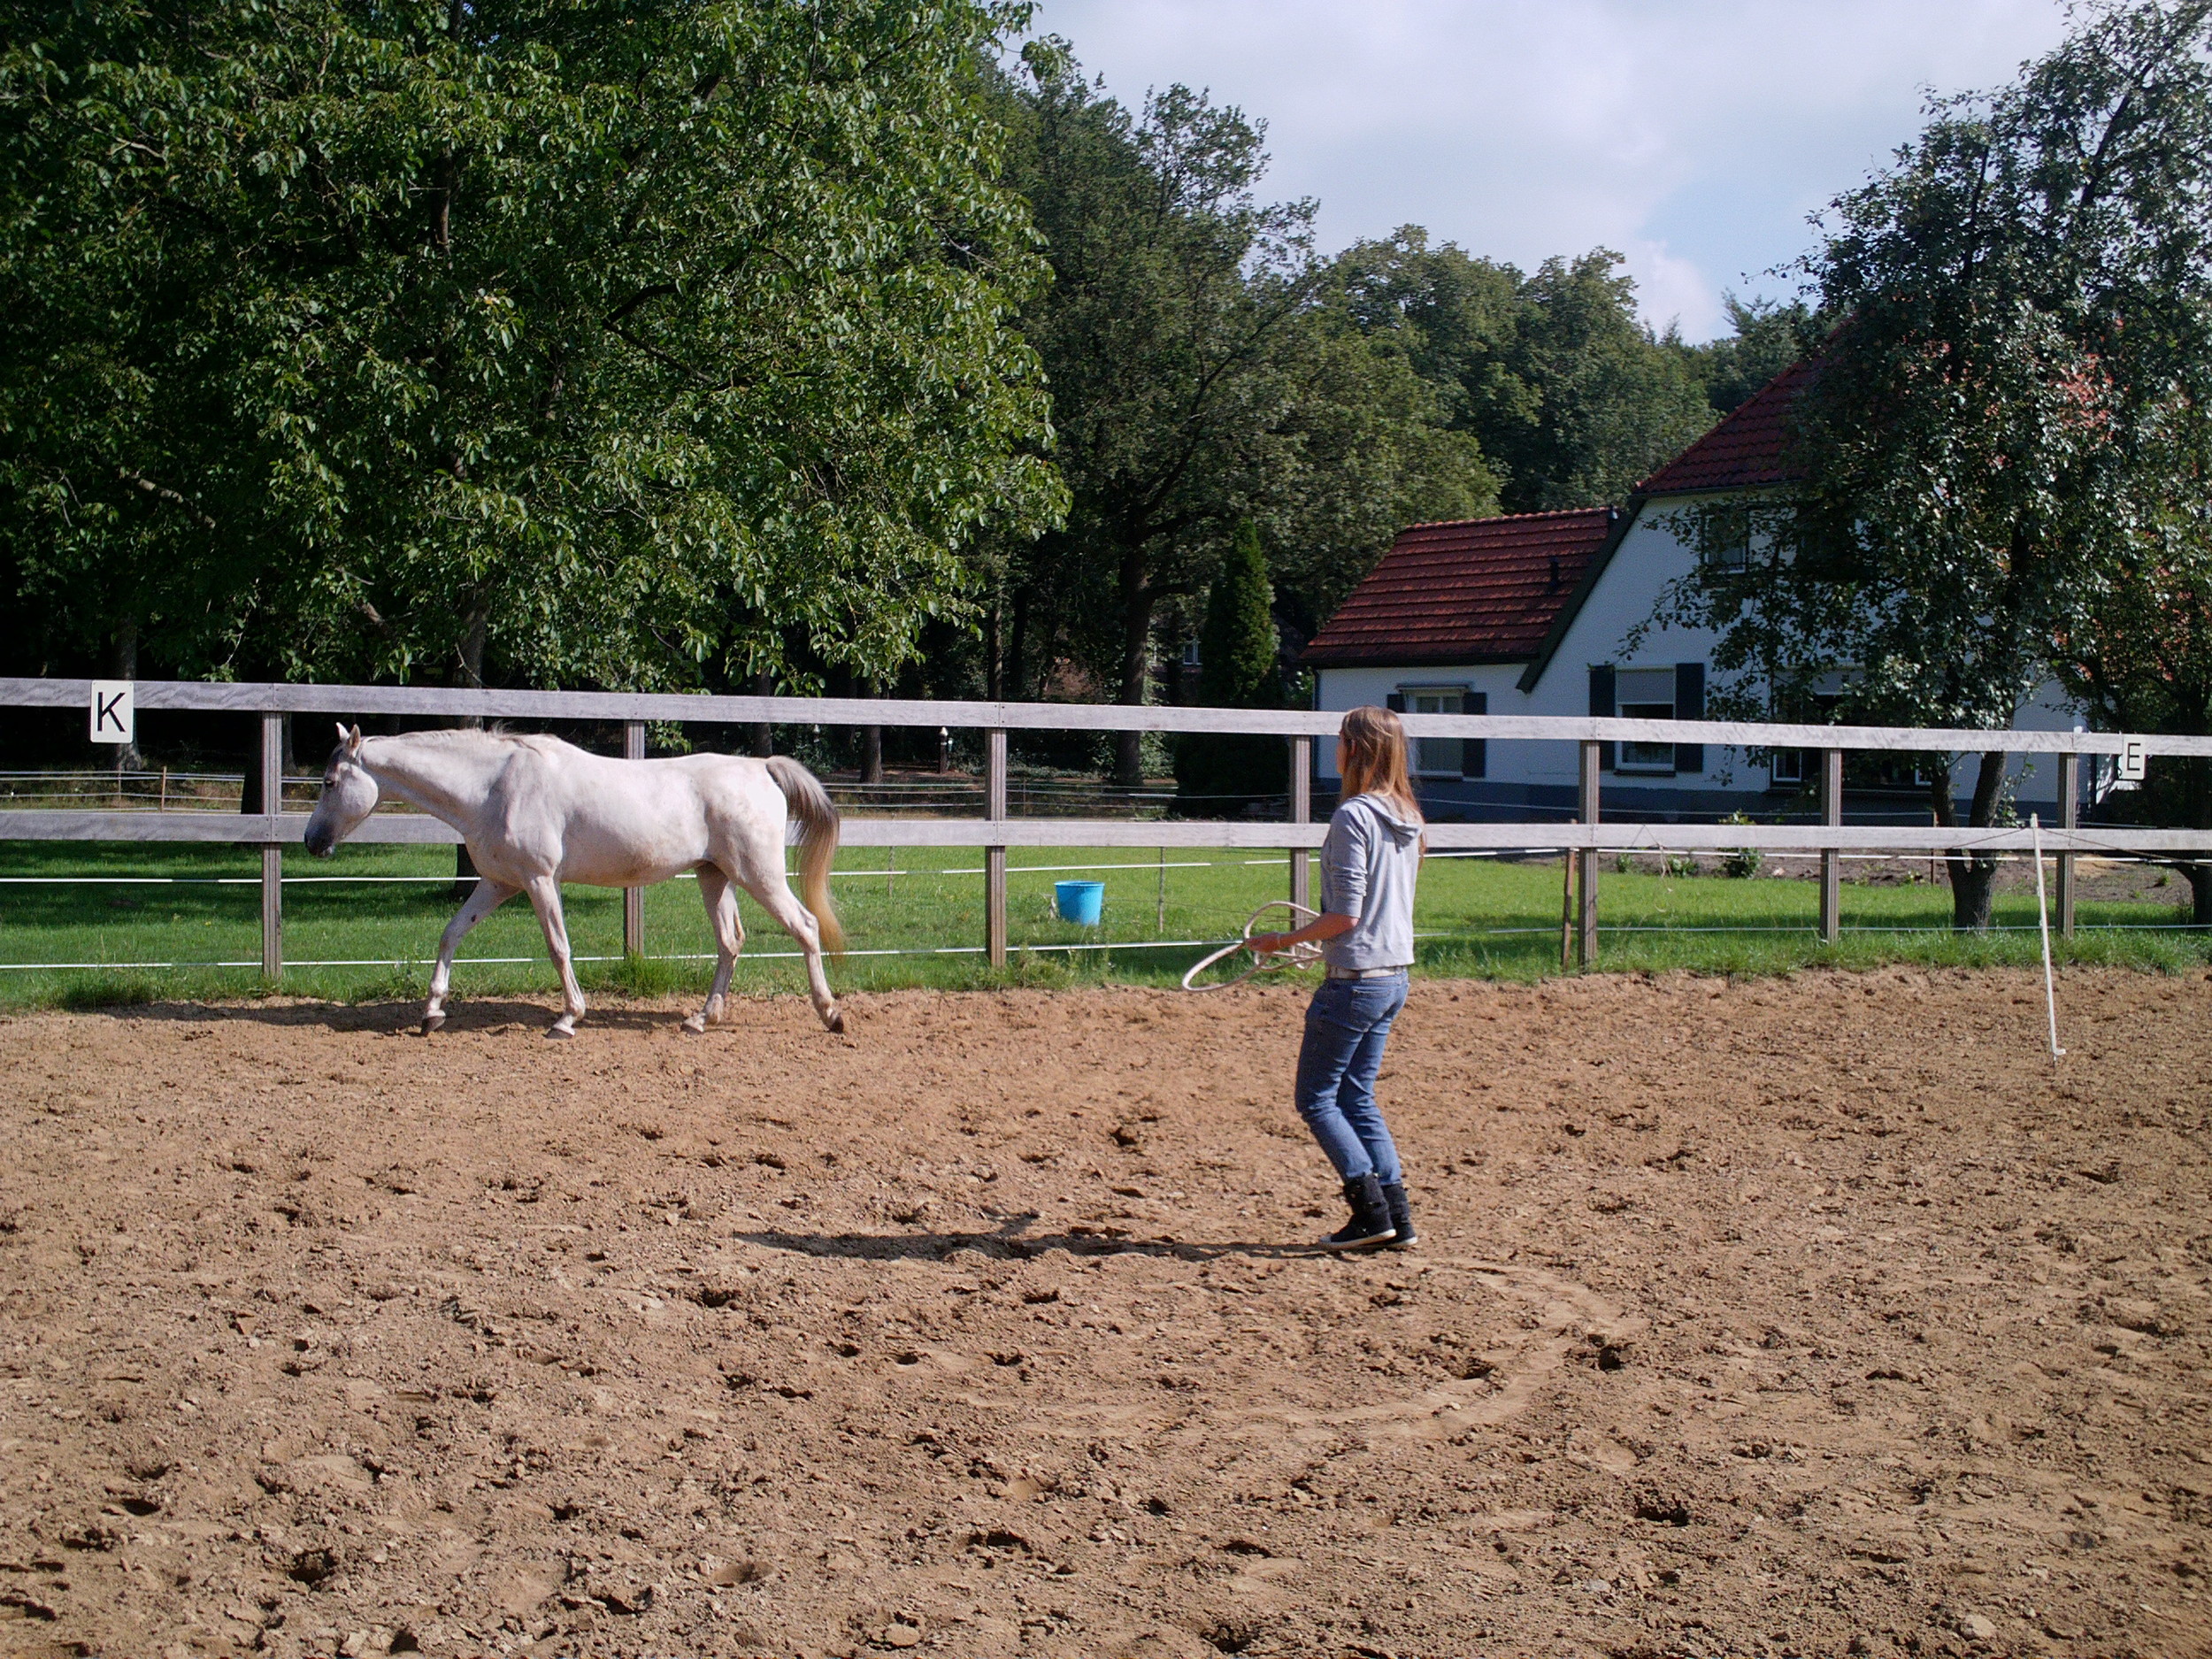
point(187, 924)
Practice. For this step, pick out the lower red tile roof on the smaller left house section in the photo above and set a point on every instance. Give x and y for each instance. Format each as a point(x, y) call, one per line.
point(1481, 589)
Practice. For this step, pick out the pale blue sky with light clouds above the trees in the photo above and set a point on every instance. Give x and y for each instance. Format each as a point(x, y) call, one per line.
point(1691, 136)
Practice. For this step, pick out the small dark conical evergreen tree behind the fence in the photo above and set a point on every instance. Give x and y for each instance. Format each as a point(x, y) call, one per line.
point(1240, 667)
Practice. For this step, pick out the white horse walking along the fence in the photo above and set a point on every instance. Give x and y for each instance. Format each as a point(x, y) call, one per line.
point(536, 813)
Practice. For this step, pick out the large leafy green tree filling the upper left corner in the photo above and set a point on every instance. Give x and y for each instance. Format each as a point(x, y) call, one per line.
point(512, 340)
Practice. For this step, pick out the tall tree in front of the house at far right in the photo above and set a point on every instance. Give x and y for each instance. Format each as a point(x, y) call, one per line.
point(2001, 428)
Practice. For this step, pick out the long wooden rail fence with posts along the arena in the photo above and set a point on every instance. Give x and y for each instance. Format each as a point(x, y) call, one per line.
point(1587, 839)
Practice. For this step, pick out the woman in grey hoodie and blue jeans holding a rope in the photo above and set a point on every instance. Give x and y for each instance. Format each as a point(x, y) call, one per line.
point(1368, 868)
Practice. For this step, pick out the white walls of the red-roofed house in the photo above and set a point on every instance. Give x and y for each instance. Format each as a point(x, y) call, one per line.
point(1629, 592)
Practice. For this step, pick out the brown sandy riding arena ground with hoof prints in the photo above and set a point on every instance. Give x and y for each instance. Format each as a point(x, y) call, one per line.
point(1797, 1317)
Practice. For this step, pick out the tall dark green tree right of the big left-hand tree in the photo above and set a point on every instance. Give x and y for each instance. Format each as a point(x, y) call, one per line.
point(1187, 355)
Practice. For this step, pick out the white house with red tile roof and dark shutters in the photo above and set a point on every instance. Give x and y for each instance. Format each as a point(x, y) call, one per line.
point(1532, 614)
